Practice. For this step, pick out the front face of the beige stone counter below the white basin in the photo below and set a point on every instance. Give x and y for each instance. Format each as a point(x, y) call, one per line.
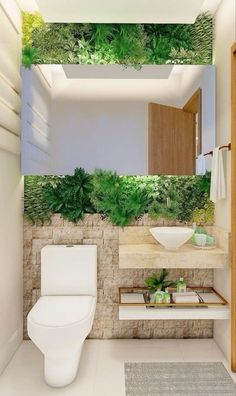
point(155, 256)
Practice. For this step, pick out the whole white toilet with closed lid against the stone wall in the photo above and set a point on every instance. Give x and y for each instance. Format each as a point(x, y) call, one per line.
point(63, 316)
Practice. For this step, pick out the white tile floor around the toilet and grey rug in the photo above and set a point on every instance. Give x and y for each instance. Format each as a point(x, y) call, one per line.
point(101, 371)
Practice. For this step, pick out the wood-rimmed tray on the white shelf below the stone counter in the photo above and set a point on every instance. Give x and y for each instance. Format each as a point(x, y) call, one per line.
point(142, 293)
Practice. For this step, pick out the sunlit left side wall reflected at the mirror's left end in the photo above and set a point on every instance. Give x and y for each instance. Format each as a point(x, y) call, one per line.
point(36, 127)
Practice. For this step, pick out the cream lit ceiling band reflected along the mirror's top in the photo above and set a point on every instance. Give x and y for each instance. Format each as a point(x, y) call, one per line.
point(140, 89)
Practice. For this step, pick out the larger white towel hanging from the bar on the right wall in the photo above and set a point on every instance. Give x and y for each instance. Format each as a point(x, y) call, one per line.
point(218, 190)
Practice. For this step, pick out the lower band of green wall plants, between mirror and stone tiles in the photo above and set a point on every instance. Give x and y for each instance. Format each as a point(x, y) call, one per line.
point(120, 199)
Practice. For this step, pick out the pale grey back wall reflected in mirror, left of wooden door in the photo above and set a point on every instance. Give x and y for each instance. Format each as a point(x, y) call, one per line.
point(109, 135)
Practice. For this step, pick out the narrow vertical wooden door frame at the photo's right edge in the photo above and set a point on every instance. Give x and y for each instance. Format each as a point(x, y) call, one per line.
point(233, 208)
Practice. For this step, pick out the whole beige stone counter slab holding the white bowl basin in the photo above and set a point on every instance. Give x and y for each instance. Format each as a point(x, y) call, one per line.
point(138, 249)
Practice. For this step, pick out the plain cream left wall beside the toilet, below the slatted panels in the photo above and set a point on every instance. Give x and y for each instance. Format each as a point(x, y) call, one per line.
point(11, 266)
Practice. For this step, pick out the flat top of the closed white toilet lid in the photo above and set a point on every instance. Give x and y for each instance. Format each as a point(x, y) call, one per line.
point(56, 311)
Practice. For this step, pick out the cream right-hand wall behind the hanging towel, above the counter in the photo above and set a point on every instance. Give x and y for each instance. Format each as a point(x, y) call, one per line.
point(225, 37)
